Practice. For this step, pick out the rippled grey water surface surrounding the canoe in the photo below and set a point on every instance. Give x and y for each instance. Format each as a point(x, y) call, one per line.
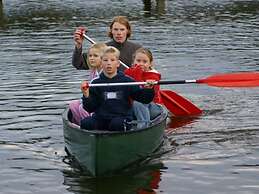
point(215, 153)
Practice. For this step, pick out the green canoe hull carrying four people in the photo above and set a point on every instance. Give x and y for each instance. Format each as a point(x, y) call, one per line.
point(103, 152)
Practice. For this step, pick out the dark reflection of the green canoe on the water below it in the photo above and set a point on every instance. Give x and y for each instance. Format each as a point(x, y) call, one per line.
point(145, 181)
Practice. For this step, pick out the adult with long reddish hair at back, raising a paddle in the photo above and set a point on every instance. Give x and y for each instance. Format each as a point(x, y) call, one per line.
point(119, 32)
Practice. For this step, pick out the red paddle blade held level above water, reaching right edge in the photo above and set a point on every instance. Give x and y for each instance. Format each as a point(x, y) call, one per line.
point(243, 79)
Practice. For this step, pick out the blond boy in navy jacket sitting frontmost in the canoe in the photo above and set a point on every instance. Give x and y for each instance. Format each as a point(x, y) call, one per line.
point(112, 105)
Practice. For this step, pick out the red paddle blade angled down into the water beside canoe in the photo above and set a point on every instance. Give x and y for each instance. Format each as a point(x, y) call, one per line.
point(178, 105)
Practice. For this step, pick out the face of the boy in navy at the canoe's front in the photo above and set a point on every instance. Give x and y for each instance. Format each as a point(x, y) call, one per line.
point(110, 64)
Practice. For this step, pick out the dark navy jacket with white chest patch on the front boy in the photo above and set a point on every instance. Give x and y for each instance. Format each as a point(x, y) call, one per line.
point(108, 102)
